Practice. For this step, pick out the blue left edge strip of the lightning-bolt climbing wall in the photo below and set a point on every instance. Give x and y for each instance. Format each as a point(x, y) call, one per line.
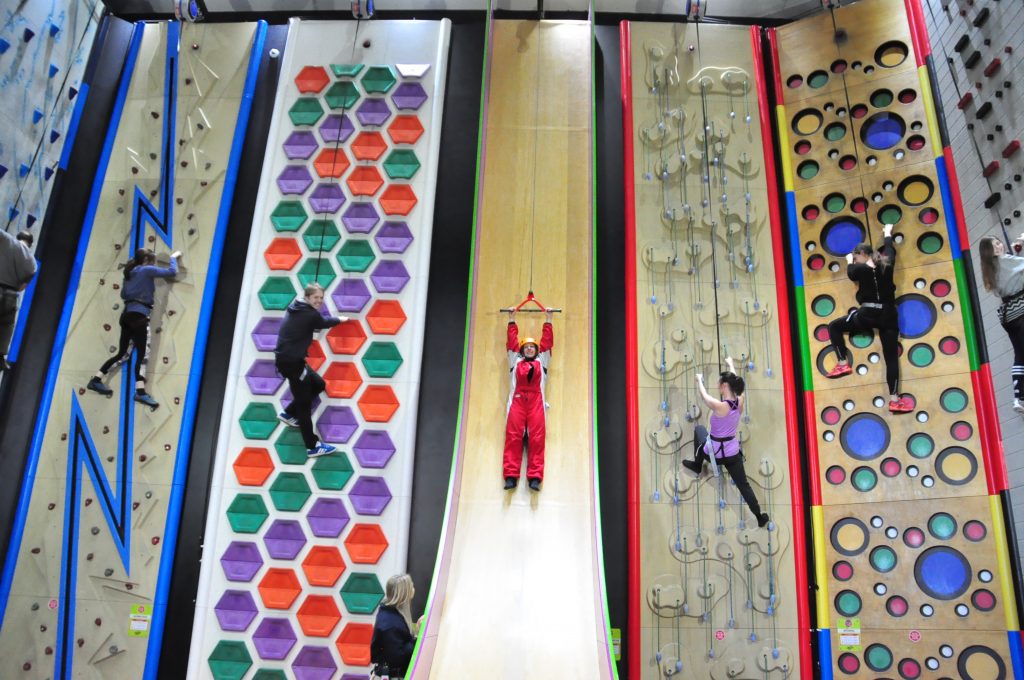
point(25, 495)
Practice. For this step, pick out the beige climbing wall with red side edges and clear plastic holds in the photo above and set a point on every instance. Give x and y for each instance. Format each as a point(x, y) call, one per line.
point(718, 597)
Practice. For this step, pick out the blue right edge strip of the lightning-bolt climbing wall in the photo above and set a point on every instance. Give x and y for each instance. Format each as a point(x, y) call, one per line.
point(199, 356)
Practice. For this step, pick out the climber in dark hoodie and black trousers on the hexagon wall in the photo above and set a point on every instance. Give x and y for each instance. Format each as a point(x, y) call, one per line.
point(303, 320)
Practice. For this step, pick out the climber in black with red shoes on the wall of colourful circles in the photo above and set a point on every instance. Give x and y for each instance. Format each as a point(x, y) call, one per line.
point(873, 272)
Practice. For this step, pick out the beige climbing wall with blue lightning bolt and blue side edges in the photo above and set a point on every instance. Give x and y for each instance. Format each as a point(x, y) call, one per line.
point(86, 582)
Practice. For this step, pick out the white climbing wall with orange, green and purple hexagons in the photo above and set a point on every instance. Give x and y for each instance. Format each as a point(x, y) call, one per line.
point(297, 552)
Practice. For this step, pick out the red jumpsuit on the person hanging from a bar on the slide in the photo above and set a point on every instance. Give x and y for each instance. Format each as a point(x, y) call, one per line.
point(526, 408)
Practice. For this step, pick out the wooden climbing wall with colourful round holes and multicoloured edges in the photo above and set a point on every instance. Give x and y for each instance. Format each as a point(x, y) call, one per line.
point(910, 582)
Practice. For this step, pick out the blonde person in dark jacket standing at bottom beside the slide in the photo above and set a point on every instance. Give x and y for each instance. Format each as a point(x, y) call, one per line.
point(395, 632)
